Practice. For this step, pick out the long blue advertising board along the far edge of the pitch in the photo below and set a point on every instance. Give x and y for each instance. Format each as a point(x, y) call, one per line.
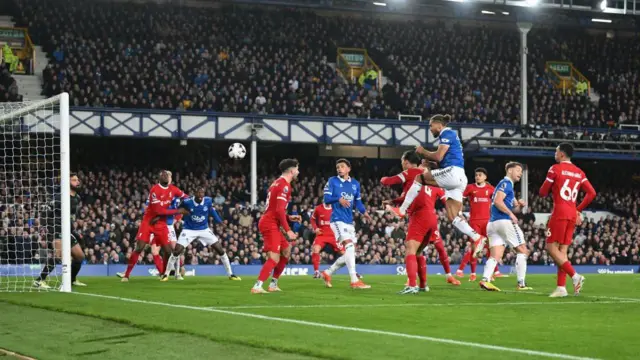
point(28, 270)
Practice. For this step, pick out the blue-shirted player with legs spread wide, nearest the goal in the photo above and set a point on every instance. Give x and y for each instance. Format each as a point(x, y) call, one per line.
point(196, 227)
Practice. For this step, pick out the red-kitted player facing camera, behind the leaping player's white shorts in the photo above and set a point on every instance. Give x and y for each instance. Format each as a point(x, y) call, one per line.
point(479, 196)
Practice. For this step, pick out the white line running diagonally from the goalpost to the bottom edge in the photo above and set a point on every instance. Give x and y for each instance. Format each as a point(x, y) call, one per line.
point(348, 328)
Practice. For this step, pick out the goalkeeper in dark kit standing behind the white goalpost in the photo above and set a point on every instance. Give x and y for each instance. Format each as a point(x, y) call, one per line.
point(77, 253)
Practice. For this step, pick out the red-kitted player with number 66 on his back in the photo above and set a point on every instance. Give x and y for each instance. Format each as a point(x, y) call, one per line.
point(564, 181)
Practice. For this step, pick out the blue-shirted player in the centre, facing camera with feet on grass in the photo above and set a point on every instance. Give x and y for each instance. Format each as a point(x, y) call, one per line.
point(343, 193)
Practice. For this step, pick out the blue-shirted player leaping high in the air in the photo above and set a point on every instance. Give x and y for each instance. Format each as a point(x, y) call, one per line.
point(450, 176)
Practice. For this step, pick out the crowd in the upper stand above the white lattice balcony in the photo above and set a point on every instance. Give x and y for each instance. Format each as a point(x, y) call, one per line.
point(263, 61)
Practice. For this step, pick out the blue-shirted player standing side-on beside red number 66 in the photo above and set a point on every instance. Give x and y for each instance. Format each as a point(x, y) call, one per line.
point(503, 229)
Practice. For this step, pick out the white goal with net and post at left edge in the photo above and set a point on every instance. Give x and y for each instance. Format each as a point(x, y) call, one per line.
point(34, 195)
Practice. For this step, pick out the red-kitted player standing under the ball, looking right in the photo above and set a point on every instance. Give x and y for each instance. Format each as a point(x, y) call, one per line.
point(274, 218)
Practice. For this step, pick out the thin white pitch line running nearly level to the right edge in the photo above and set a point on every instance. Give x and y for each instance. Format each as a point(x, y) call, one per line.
point(425, 304)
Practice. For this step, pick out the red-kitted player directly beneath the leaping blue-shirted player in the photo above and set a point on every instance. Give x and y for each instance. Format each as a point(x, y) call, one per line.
point(423, 223)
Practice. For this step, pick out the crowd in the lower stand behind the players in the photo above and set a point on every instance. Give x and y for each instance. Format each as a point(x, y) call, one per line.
point(113, 197)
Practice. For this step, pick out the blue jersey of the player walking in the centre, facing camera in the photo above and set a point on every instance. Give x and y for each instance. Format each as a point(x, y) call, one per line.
point(349, 189)
